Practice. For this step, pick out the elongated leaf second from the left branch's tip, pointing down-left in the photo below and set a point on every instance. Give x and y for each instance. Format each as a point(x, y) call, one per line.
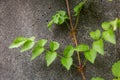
point(27, 45)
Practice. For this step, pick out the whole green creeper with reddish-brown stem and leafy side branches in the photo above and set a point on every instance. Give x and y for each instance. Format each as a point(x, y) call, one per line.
point(90, 52)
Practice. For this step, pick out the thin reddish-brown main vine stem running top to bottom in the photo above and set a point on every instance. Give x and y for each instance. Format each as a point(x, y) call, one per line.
point(73, 34)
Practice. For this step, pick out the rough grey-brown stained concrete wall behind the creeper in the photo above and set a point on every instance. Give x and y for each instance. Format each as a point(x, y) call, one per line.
point(30, 17)
